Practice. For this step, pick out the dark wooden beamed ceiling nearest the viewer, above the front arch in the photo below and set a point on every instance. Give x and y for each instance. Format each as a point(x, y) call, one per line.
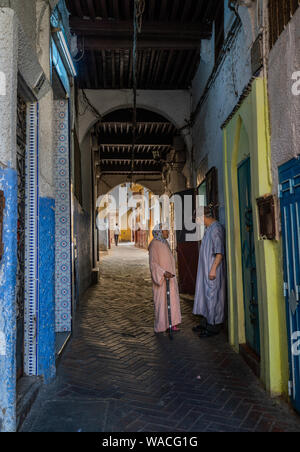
point(168, 47)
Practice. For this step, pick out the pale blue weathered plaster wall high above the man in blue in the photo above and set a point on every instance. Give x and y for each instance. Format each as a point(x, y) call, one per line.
point(232, 77)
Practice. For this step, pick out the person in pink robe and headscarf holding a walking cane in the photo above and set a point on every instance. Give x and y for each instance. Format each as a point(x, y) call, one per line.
point(162, 267)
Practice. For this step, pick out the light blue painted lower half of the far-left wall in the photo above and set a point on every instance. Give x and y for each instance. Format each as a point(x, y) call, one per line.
point(8, 272)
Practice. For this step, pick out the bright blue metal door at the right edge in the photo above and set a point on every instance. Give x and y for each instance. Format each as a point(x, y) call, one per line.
point(289, 193)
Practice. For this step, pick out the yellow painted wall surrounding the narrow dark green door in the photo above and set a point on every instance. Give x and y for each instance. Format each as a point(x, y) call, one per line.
point(246, 135)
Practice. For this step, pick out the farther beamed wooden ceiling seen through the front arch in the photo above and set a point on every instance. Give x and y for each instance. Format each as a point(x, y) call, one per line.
point(114, 136)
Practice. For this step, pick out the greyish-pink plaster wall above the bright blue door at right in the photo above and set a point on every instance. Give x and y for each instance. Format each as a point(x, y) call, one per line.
point(284, 60)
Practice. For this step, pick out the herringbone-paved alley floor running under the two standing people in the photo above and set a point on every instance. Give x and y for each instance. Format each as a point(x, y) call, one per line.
point(116, 375)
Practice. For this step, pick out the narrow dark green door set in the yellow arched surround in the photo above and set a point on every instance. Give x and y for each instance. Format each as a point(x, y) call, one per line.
point(248, 258)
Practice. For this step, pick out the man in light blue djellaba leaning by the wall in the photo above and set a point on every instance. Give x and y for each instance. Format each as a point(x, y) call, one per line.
point(210, 293)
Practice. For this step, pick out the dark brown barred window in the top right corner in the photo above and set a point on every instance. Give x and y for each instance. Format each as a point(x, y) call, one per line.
point(280, 13)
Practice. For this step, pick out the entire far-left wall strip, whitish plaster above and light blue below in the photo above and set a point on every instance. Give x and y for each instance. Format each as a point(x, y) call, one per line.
point(8, 184)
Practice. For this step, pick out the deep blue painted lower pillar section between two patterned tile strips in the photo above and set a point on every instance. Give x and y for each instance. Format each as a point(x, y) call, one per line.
point(46, 311)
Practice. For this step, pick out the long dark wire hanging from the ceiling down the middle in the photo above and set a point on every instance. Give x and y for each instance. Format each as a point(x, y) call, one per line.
point(139, 9)
